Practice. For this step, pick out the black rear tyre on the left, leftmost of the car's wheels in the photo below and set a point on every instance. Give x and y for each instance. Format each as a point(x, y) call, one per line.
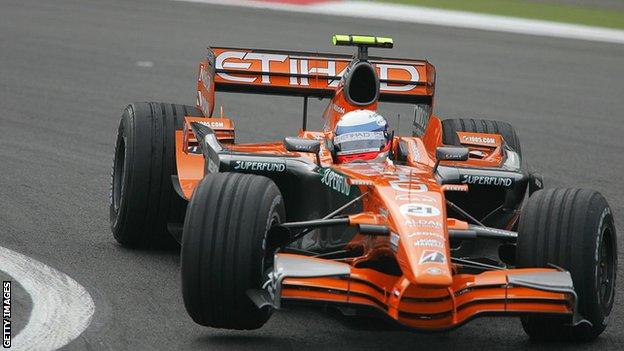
point(142, 199)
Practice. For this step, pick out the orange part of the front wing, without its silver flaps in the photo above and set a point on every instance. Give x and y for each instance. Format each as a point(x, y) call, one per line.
point(466, 297)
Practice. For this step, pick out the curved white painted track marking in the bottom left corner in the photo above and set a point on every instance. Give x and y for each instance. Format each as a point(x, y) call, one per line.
point(62, 308)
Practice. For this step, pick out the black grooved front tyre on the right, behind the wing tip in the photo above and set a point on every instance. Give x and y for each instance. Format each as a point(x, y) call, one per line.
point(572, 229)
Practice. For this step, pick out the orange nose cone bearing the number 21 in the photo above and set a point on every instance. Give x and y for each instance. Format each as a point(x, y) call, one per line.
point(416, 207)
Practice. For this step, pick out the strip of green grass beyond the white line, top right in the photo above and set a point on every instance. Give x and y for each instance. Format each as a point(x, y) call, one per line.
point(578, 14)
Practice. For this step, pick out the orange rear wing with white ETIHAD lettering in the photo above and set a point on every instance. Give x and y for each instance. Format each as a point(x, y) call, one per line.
point(306, 74)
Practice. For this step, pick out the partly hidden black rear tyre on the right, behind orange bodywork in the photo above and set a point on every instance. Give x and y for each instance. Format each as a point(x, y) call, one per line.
point(450, 127)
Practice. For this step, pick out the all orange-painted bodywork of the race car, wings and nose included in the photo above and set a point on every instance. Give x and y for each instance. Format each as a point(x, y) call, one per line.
point(429, 293)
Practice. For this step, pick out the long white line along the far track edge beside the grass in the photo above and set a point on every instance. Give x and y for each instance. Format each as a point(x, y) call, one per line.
point(416, 14)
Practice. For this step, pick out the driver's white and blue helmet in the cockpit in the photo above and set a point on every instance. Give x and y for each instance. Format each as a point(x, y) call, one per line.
point(361, 135)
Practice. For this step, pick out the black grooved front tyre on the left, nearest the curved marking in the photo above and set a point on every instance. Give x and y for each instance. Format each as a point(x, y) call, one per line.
point(223, 248)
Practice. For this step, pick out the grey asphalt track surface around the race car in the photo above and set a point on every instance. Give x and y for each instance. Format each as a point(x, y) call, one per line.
point(67, 69)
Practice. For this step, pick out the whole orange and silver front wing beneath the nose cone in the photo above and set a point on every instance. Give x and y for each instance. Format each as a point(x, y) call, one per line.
point(300, 279)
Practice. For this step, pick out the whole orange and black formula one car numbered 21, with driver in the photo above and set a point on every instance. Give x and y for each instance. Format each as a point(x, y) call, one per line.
point(429, 230)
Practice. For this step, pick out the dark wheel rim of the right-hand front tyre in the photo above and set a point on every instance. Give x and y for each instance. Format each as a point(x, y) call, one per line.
point(606, 271)
